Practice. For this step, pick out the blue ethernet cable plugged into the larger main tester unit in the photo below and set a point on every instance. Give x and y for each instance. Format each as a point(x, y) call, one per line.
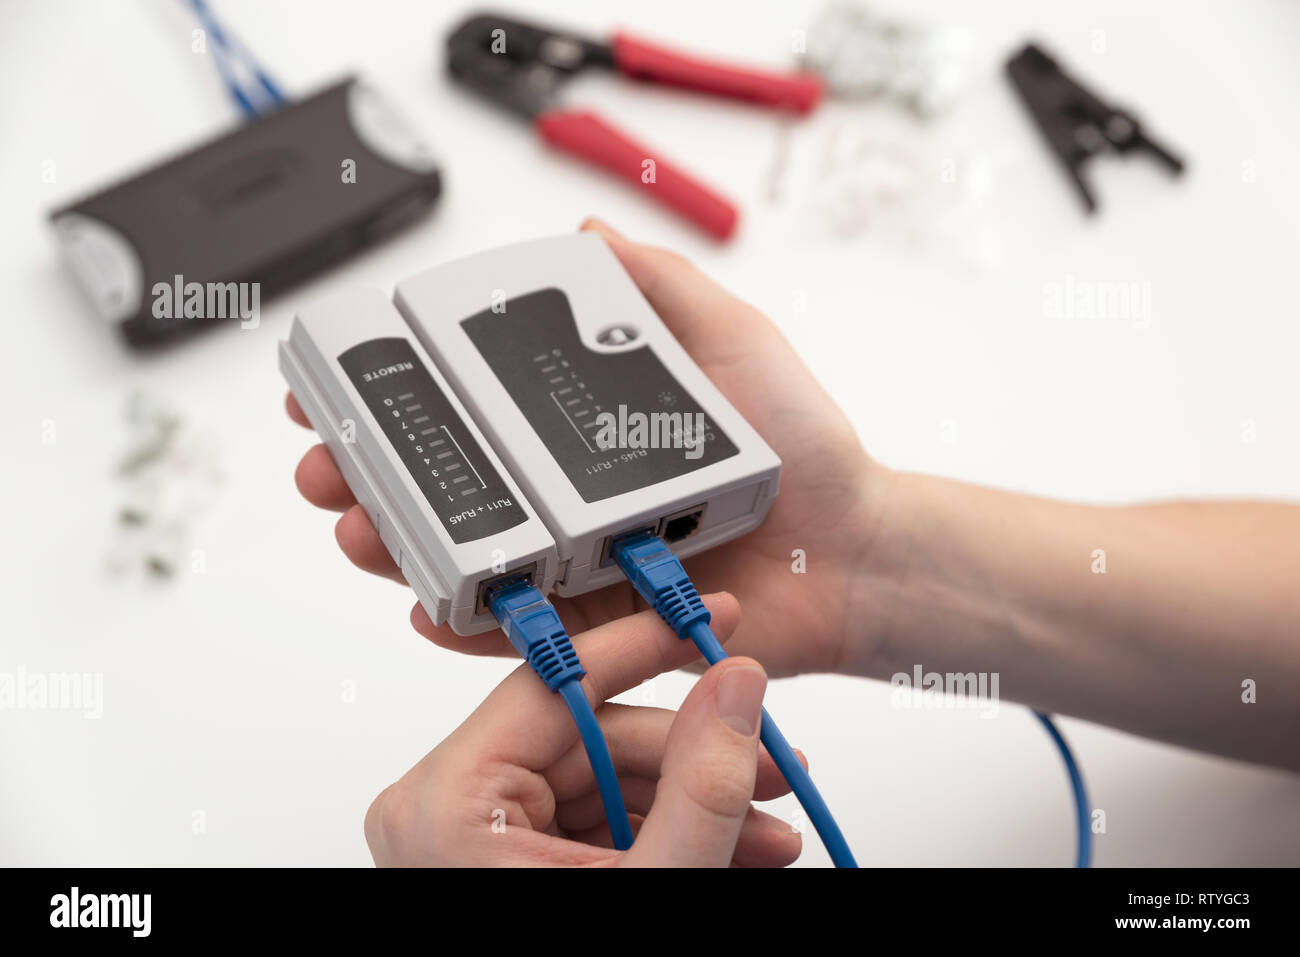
point(658, 577)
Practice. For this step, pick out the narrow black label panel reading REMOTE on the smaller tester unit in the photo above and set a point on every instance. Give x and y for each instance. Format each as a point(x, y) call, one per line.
point(432, 440)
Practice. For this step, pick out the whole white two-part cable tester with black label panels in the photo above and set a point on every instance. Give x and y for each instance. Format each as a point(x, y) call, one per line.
point(466, 422)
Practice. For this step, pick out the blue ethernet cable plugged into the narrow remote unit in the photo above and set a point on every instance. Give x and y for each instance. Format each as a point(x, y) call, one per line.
point(536, 633)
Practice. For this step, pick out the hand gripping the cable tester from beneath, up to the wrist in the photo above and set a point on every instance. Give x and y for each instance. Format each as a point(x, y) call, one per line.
point(827, 506)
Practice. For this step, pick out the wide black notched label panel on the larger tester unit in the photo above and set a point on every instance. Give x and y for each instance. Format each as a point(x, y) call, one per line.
point(564, 388)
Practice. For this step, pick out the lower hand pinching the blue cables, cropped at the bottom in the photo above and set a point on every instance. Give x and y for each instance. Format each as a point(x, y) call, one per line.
point(513, 786)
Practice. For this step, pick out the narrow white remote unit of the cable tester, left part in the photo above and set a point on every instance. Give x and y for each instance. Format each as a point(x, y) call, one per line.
point(449, 513)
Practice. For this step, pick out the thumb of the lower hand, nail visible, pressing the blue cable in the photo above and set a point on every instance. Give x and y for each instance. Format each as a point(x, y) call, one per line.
point(708, 777)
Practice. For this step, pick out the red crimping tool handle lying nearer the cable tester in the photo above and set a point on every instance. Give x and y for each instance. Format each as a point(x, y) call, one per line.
point(584, 135)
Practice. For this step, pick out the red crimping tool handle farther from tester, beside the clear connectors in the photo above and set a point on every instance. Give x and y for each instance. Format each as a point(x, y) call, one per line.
point(799, 92)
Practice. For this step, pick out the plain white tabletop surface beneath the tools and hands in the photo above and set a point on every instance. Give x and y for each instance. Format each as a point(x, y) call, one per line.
point(224, 690)
